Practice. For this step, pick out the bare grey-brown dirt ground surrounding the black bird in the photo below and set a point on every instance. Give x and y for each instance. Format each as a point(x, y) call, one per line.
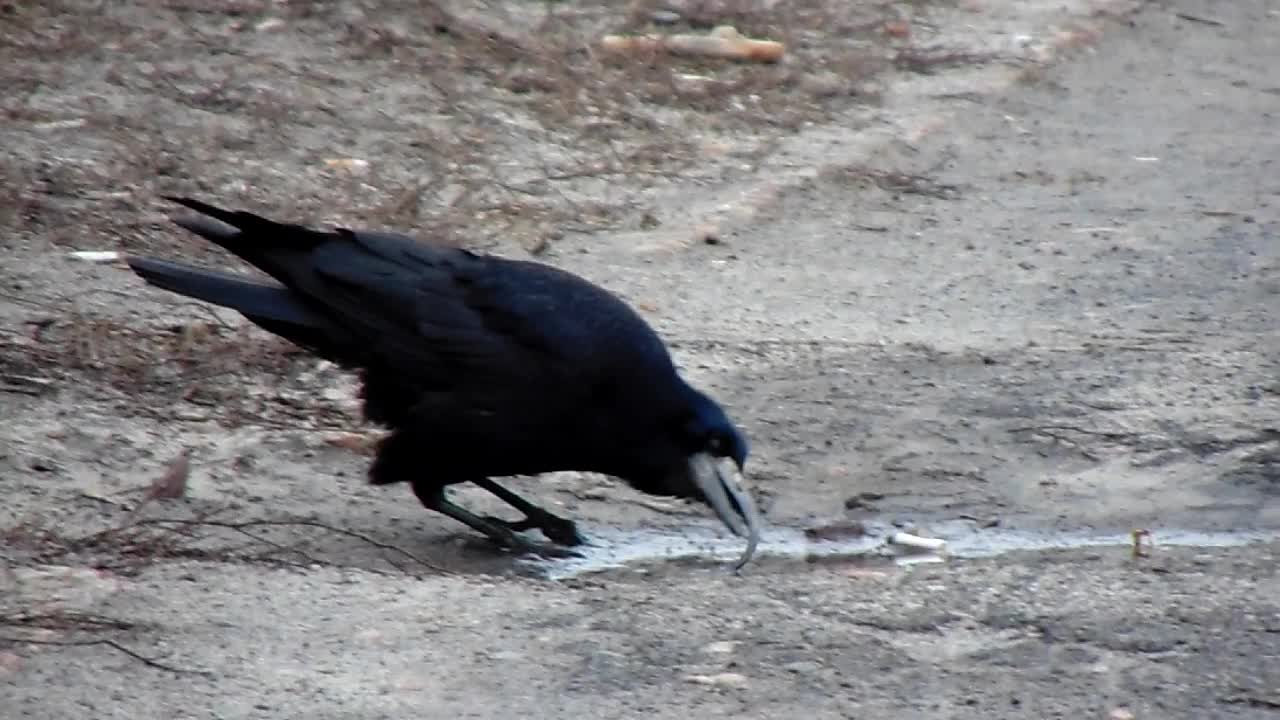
point(989, 270)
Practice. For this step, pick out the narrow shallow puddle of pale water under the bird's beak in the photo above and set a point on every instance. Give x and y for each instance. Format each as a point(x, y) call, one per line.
point(614, 549)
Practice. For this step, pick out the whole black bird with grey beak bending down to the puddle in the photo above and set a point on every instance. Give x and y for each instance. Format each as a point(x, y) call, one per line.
point(481, 367)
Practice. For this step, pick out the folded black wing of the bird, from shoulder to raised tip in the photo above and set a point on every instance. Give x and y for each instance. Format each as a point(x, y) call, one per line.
point(444, 332)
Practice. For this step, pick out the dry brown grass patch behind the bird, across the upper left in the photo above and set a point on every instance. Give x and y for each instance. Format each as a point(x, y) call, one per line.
point(492, 124)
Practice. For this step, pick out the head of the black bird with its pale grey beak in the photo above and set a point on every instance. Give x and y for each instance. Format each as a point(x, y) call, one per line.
point(716, 458)
